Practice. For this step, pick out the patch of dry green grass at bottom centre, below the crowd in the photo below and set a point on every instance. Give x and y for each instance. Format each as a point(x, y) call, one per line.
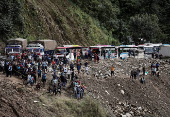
point(66, 107)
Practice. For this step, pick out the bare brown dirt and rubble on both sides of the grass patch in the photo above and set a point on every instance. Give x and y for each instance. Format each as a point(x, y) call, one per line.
point(119, 95)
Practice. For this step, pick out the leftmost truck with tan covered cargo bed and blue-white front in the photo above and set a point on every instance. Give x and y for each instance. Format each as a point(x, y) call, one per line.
point(15, 46)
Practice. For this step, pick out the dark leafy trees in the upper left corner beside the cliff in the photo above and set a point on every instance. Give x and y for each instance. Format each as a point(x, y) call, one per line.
point(10, 18)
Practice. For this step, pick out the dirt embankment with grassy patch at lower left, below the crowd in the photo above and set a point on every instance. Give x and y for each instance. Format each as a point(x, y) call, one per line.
point(18, 100)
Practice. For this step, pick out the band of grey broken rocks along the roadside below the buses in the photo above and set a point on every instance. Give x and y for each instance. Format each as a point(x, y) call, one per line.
point(124, 67)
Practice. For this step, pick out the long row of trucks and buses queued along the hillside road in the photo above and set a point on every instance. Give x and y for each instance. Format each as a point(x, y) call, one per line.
point(42, 47)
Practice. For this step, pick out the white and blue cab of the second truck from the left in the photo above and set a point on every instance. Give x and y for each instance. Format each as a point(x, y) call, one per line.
point(37, 48)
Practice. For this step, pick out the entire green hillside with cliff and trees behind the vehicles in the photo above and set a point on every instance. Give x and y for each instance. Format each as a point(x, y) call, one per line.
point(86, 22)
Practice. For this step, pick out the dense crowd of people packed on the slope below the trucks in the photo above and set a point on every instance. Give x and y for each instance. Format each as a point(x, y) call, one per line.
point(33, 70)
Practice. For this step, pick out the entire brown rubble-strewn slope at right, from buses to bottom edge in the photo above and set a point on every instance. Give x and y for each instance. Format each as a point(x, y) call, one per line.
point(150, 99)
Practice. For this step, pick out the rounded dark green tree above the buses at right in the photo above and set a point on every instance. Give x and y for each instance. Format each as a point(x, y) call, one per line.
point(144, 26)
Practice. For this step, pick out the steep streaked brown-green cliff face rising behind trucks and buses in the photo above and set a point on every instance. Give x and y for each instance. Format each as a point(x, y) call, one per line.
point(60, 20)
